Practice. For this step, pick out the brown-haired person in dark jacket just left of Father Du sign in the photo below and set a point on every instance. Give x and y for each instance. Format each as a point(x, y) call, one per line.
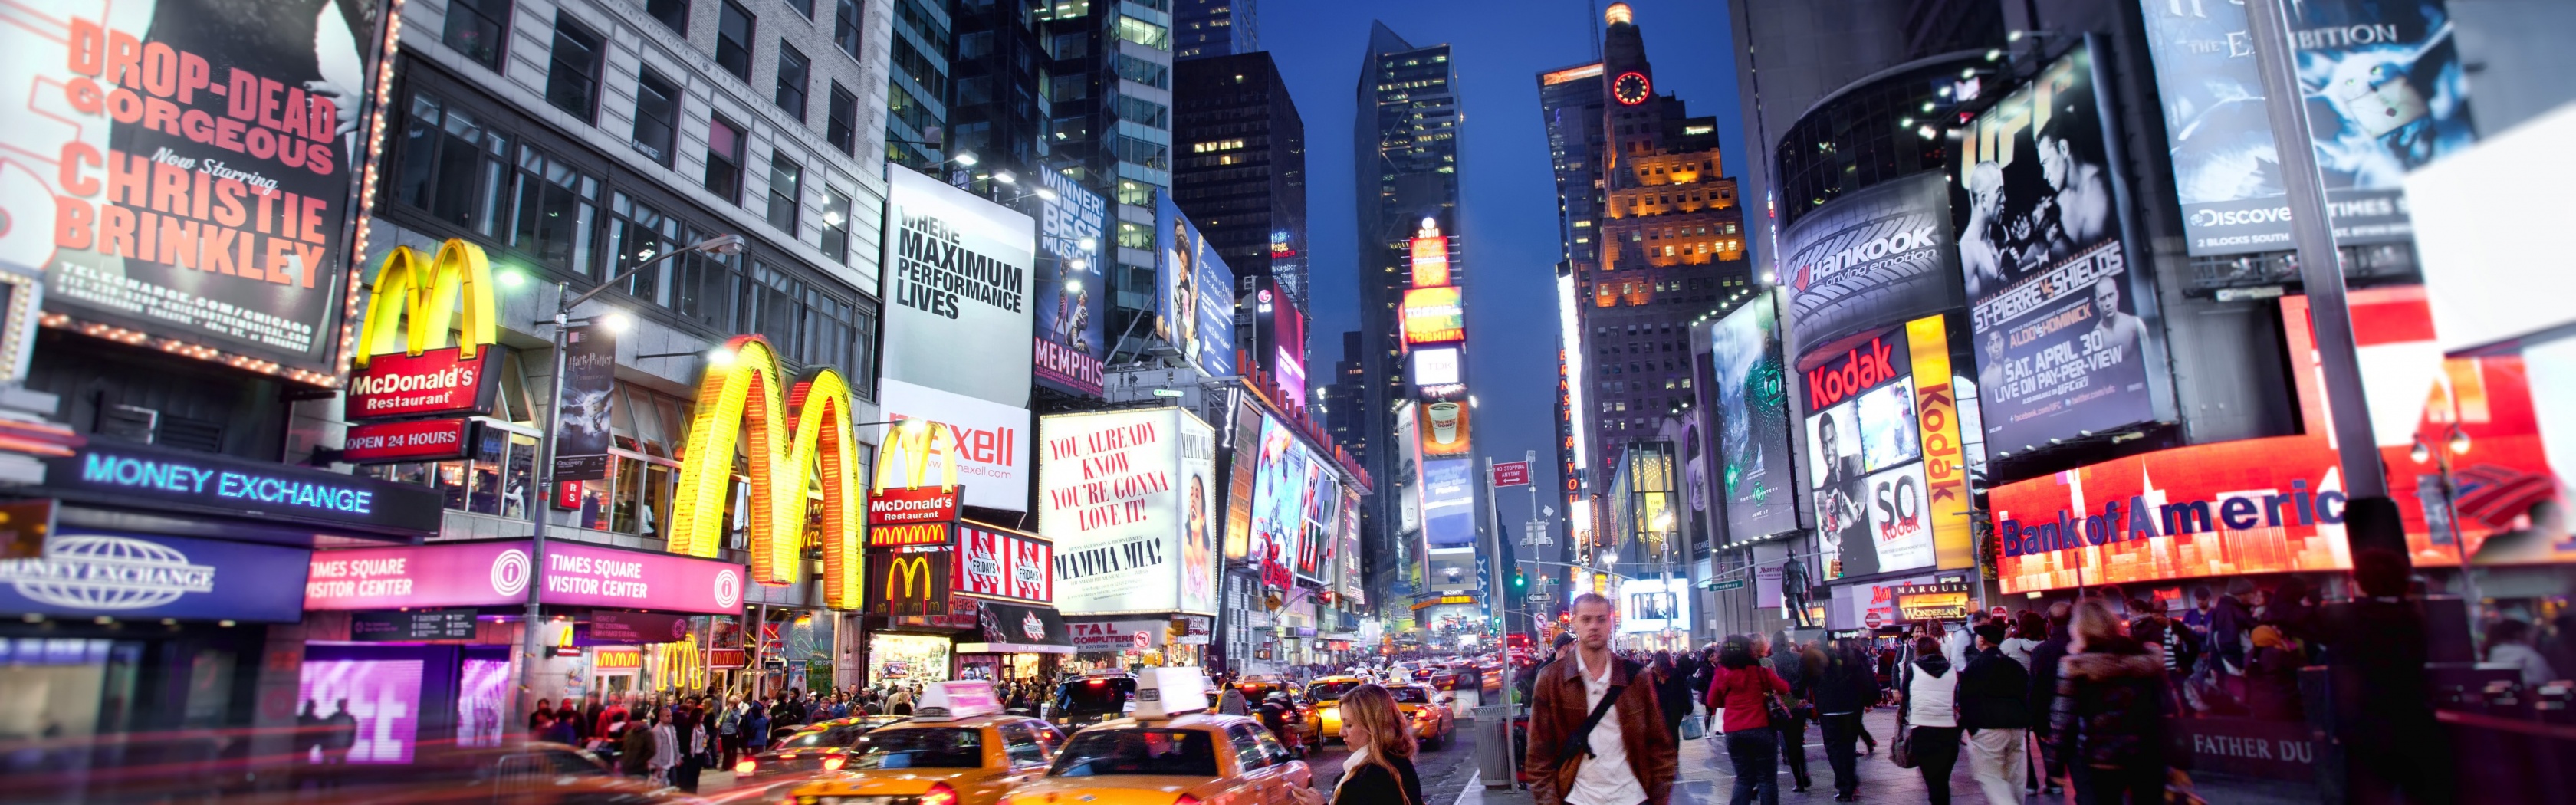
point(2108, 716)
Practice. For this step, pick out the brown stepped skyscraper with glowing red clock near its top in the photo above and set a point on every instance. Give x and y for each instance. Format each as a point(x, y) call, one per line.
point(1671, 244)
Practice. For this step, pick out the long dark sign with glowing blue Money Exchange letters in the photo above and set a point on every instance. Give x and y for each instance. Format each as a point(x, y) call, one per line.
point(210, 484)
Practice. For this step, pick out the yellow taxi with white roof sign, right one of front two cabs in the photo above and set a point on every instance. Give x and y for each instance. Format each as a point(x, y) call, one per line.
point(1171, 752)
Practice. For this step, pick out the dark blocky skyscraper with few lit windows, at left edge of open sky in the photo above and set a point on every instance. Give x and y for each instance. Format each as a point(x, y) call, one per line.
point(1243, 166)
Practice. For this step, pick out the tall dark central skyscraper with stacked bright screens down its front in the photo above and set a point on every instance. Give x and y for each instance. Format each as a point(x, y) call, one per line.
point(1408, 200)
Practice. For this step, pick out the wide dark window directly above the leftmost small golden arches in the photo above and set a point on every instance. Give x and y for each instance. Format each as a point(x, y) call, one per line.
point(452, 166)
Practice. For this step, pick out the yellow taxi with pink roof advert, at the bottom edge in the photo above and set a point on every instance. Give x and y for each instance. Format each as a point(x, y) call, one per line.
point(957, 750)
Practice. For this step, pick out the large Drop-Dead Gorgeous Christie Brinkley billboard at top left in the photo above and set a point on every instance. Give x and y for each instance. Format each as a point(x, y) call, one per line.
point(207, 156)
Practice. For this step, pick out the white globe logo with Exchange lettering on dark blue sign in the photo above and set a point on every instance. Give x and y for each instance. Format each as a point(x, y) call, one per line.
point(91, 571)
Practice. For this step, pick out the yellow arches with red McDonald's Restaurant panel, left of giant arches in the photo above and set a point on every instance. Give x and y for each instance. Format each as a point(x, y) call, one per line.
point(424, 347)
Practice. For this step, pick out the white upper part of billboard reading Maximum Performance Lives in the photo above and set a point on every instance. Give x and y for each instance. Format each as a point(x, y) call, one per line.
point(957, 290)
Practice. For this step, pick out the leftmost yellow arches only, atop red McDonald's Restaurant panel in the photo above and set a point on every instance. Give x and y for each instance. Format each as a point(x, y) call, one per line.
point(421, 288)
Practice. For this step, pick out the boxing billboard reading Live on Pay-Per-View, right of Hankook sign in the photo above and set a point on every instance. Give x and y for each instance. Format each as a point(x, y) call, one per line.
point(2062, 316)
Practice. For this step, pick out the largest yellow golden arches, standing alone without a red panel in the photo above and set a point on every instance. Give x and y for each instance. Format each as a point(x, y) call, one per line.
point(743, 393)
